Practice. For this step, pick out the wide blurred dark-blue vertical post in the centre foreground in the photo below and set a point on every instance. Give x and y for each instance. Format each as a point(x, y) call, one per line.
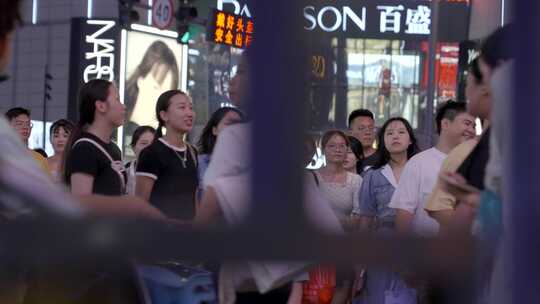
point(279, 75)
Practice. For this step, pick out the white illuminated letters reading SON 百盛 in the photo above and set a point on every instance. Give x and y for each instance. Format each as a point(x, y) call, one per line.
point(391, 19)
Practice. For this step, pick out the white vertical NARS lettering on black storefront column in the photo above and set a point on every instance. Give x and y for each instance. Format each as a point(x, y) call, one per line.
point(101, 56)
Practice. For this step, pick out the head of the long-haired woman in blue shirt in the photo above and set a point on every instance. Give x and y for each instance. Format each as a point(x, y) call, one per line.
point(396, 137)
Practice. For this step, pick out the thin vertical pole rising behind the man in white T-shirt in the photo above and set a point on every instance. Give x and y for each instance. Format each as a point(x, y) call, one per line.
point(430, 96)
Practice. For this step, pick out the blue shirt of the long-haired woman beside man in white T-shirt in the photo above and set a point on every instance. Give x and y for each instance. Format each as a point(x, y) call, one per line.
point(377, 189)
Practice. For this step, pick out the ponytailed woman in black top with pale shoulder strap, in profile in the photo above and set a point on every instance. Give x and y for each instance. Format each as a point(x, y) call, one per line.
point(93, 163)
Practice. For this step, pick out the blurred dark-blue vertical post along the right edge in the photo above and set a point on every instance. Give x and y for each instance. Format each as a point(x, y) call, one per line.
point(524, 162)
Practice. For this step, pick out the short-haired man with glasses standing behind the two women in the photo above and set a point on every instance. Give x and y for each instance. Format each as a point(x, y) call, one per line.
point(362, 127)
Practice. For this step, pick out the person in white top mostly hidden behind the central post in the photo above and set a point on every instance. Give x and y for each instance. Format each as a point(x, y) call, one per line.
point(227, 189)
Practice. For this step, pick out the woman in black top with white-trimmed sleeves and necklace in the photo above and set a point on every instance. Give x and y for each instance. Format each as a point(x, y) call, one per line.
point(167, 169)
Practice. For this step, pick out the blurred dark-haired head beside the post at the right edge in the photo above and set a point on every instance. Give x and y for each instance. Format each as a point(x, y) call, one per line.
point(495, 50)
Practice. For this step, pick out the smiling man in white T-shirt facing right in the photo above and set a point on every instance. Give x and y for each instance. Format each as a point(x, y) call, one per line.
point(419, 176)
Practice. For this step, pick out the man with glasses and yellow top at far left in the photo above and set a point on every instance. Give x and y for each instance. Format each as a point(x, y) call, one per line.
point(19, 119)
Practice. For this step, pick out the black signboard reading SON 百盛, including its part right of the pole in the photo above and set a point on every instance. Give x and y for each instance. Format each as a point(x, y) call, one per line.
point(387, 19)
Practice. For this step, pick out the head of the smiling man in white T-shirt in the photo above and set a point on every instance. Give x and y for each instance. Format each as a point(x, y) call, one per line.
point(454, 124)
